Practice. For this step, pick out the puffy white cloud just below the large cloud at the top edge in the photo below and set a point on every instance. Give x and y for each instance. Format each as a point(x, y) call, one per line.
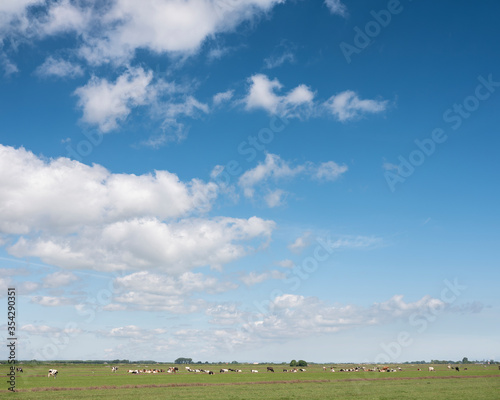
point(105, 104)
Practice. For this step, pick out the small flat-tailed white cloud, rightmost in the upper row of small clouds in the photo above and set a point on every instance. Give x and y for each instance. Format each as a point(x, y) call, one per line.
point(347, 105)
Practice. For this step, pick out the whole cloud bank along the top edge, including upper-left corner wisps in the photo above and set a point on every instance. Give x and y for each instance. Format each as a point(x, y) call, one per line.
point(113, 31)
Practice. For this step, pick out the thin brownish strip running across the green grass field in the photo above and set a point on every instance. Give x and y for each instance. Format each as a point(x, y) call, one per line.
point(106, 387)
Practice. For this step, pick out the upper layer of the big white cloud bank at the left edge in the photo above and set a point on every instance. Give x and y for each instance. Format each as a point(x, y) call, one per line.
point(65, 195)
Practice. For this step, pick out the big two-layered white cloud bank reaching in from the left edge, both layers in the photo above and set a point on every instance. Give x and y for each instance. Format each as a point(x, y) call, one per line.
point(76, 216)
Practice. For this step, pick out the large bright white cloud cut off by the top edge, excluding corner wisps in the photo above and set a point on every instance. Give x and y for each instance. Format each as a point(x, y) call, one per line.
point(166, 26)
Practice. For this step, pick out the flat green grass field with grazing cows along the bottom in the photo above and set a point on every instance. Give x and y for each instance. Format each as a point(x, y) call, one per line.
point(96, 381)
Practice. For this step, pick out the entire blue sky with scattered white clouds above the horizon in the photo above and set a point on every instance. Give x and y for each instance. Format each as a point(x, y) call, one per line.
point(254, 180)
